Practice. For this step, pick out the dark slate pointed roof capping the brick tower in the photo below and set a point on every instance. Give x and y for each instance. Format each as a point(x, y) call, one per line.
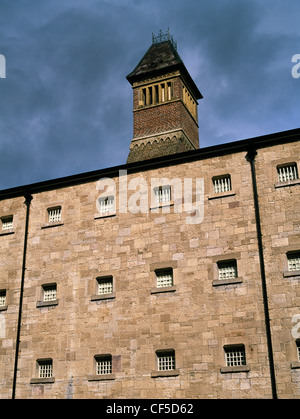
point(159, 59)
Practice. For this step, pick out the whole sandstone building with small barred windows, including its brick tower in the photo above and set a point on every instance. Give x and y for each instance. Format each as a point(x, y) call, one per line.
point(175, 275)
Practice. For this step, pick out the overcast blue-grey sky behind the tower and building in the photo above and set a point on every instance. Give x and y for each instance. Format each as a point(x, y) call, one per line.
point(66, 106)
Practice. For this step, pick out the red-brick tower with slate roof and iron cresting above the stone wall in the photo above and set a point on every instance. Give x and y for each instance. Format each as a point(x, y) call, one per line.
point(165, 98)
